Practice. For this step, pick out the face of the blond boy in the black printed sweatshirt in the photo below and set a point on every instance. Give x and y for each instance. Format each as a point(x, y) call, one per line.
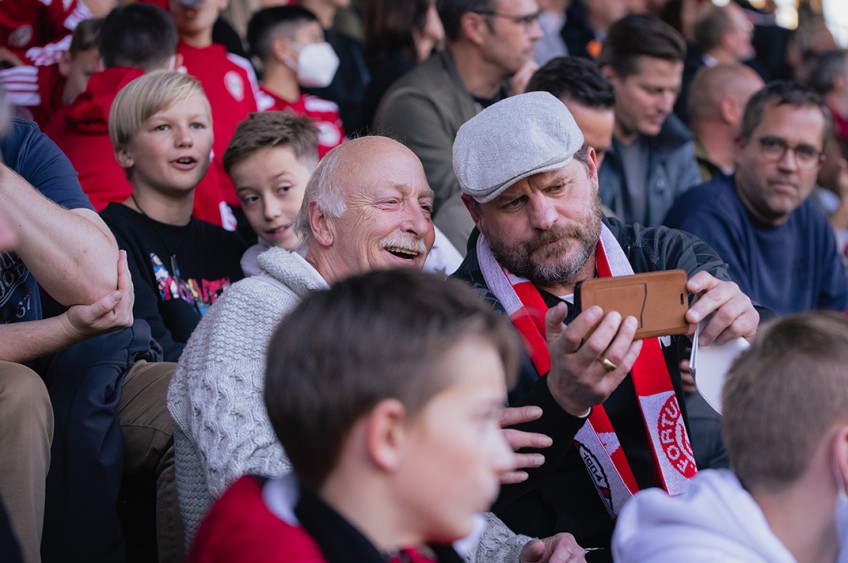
point(170, 154)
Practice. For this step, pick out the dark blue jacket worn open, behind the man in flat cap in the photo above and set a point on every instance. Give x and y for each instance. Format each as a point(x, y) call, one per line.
point(672, 169)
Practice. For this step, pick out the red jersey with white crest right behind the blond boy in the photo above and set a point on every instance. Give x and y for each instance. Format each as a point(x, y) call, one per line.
point(230, 86)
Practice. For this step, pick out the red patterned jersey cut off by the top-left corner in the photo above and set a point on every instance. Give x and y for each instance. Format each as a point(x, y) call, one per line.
point(27, 27)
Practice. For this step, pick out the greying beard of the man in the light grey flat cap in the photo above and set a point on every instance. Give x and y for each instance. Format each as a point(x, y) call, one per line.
point(555, 242)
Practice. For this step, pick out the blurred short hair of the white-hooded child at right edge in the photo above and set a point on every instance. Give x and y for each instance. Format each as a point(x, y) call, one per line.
point(782, 395)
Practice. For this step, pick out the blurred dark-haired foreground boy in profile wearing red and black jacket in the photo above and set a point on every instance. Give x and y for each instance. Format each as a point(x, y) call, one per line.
point(398, 458)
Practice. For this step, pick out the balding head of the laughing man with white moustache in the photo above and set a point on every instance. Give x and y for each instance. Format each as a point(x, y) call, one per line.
point(367, 206)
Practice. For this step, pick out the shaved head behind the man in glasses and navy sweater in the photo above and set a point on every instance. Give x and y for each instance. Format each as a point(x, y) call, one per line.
point(721, 90)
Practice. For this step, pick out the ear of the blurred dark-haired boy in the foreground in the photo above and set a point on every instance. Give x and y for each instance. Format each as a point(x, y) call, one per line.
point(385, 434)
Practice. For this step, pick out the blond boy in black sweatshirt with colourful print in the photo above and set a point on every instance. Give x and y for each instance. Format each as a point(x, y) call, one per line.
point(161, 129)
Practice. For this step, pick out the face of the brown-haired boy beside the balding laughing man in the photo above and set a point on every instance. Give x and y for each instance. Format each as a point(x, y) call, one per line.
point(270, 184)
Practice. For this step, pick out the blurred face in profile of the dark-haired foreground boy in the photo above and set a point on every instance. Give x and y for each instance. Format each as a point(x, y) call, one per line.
point(456, 450)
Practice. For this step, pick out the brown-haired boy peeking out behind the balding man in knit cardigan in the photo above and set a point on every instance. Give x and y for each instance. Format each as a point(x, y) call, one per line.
point(270, 159)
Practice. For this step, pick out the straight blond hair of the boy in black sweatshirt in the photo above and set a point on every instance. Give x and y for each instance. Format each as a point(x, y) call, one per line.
point(145, 96)
